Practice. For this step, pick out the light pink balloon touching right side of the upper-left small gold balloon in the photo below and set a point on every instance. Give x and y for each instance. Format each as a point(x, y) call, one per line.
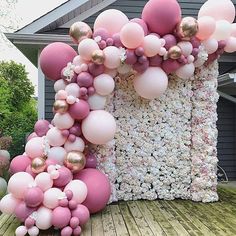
point(112, 57)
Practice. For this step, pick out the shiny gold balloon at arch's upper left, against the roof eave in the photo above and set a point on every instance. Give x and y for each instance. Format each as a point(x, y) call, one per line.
point(79, 31)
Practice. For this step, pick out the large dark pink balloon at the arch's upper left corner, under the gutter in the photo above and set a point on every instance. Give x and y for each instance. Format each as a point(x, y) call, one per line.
point(52, 64)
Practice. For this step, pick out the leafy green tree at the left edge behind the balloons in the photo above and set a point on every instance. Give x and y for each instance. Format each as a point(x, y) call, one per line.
point(17, 107)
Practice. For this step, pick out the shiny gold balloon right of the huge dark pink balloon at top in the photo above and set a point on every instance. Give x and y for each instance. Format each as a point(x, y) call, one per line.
point(187, 28)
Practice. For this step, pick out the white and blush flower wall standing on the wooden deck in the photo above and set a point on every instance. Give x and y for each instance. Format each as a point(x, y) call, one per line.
point(164, 148)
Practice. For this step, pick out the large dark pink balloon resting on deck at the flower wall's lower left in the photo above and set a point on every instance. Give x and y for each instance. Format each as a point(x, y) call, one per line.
point(99, 189)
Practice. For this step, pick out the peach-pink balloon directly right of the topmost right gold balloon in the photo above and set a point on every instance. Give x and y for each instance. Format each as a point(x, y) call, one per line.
point(206, 27)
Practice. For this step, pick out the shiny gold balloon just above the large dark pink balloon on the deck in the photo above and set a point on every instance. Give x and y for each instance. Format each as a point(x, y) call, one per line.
point(75, 161)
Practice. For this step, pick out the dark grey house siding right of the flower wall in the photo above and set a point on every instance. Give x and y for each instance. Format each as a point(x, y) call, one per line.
point(226, 137)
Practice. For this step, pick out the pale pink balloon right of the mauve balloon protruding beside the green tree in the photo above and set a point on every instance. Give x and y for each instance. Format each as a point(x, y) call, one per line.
point(55, 137)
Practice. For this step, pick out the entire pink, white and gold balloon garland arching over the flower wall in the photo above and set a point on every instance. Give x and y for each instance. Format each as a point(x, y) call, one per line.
point(55, 182)
